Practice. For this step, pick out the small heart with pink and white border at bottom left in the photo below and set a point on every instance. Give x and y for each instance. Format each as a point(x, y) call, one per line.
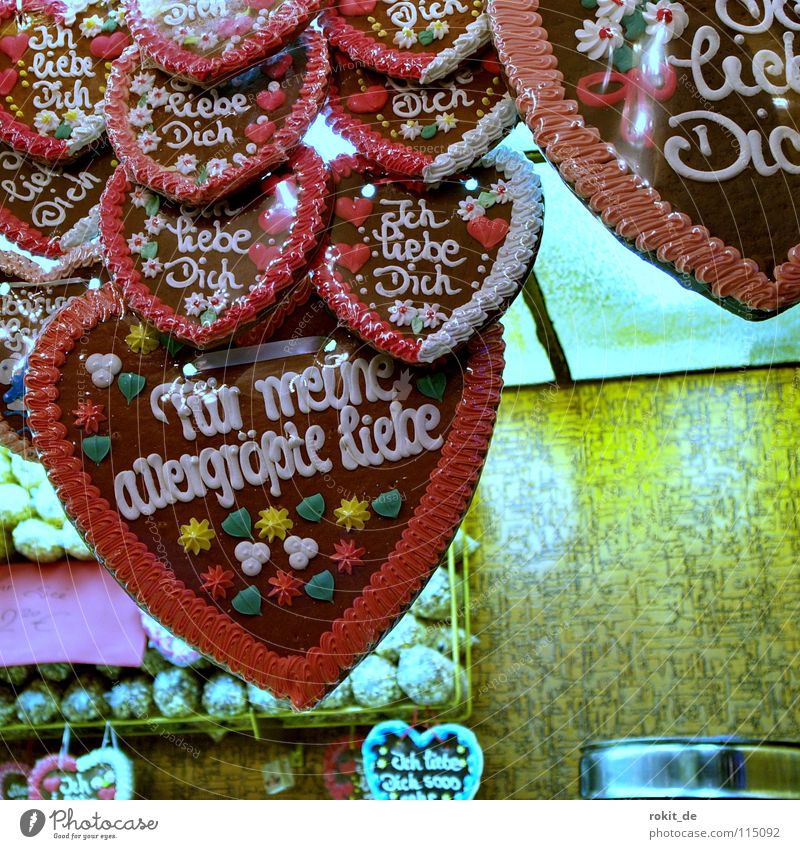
point(102, 774)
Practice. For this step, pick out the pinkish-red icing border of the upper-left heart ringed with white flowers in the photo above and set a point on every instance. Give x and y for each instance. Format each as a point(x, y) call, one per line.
point(146, 171)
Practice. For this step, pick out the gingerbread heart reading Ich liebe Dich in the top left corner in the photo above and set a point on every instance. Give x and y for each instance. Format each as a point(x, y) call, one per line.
point(54, 61)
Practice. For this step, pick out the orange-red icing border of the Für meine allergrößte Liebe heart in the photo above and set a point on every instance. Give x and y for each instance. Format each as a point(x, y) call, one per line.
point(152, 584)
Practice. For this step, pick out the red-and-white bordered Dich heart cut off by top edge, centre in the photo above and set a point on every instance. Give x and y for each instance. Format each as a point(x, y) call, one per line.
point(413, 40)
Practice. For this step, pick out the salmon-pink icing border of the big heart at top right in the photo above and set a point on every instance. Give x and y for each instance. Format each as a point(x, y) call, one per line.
point(596, 172)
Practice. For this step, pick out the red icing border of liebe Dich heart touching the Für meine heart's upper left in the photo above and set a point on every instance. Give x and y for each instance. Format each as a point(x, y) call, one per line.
point(313, 211)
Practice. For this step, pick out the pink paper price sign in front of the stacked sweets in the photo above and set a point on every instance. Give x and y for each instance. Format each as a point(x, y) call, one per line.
point(67, 613)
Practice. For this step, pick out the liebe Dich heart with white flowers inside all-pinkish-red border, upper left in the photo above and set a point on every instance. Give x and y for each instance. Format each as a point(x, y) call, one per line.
point(198, 144)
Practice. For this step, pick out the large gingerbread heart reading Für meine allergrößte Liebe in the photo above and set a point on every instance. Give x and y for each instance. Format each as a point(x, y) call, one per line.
point(278, 508)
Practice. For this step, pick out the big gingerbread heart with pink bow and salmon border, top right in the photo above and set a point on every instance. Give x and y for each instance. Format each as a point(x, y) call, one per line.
point(673, 122)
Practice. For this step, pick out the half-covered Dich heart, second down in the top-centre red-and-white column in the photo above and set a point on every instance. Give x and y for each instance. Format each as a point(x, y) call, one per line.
point(430, 131)
